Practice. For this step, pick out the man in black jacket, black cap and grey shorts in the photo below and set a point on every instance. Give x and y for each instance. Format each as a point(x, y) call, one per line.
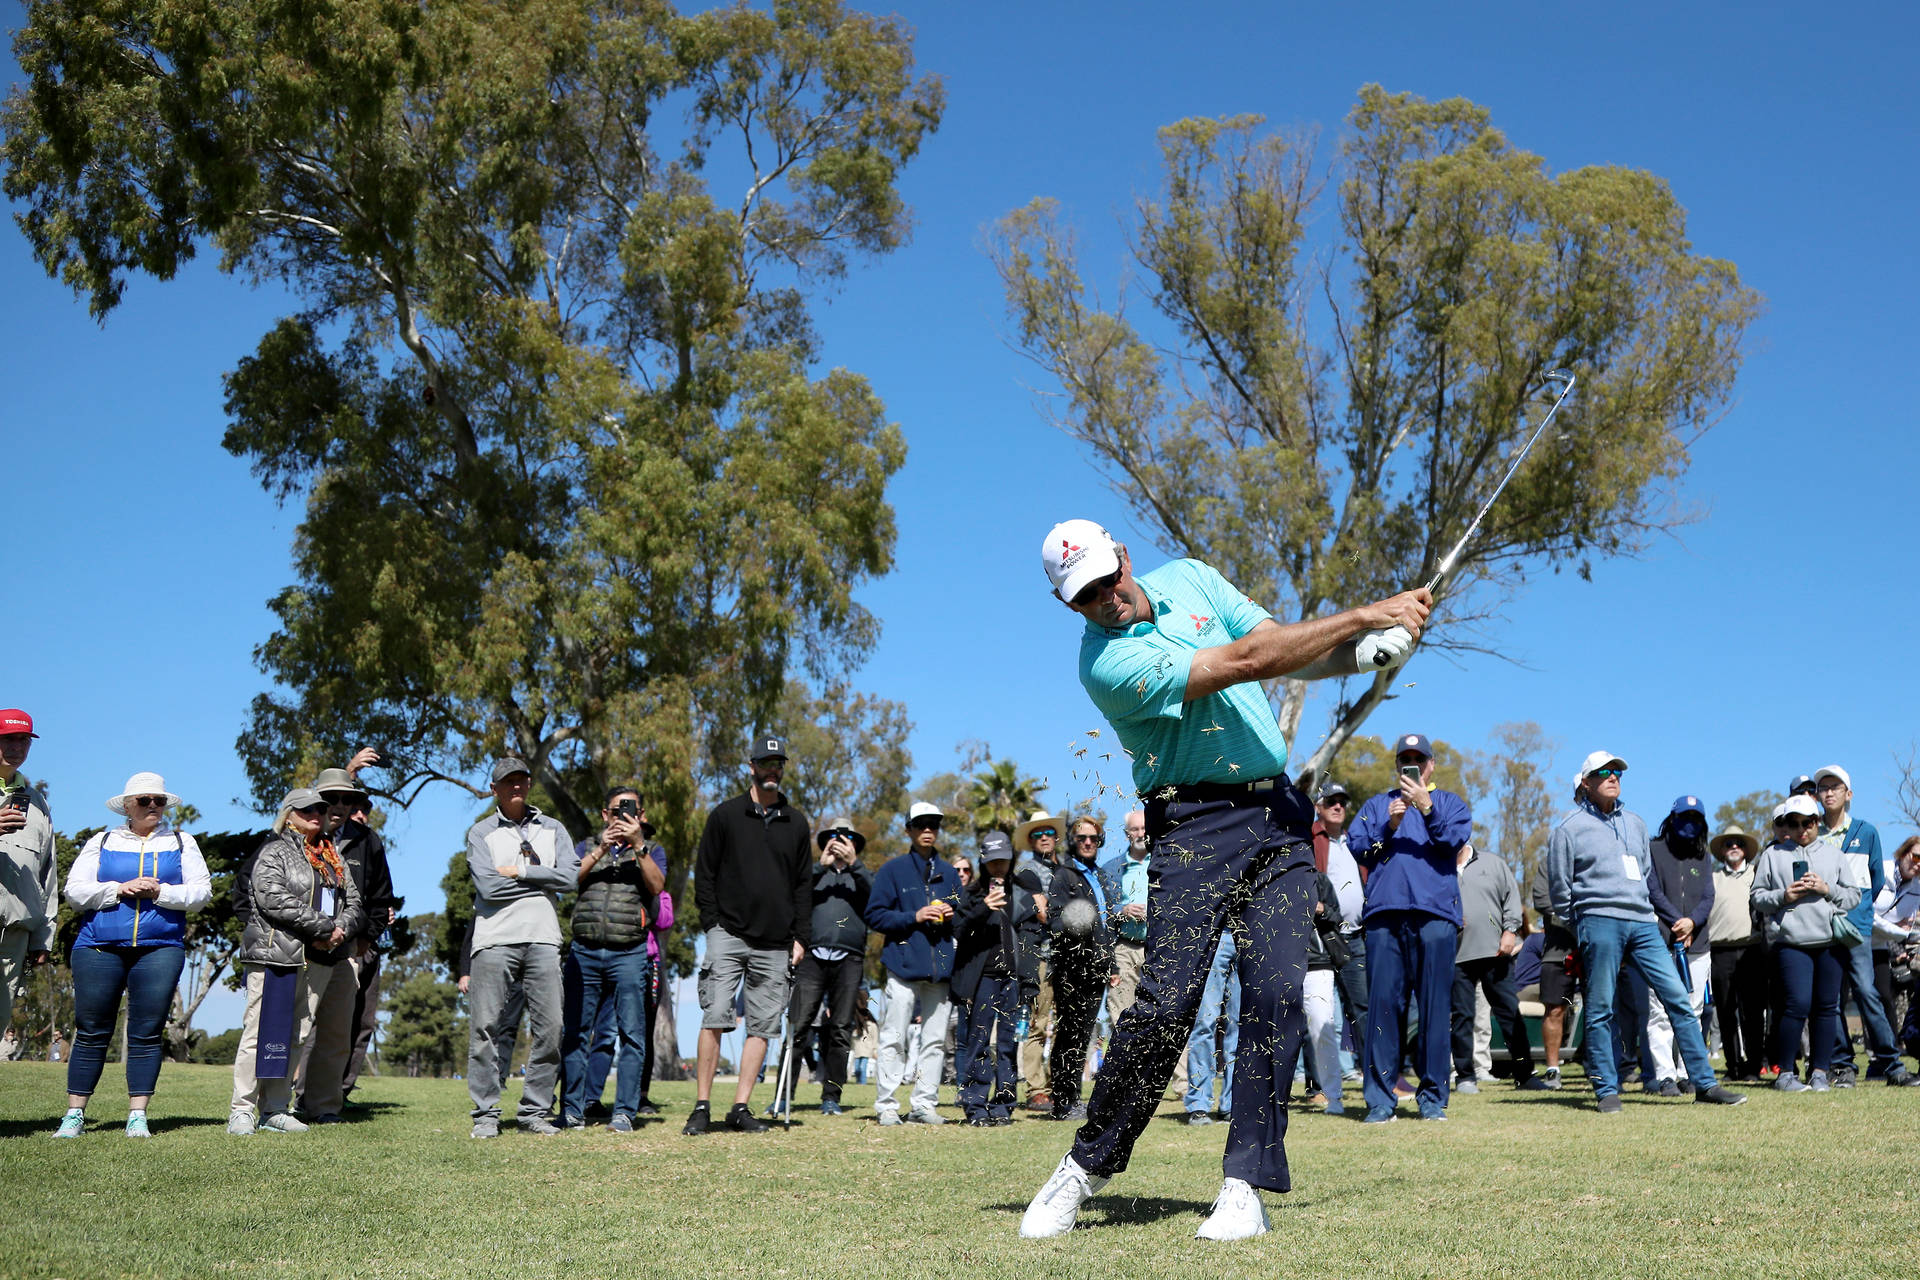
point(756, 893)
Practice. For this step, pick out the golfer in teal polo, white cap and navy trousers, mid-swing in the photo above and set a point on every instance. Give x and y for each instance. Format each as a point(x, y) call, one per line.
point(1174, 661)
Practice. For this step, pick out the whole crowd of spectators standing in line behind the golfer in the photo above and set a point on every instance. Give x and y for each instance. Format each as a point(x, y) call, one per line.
point(1641, 945)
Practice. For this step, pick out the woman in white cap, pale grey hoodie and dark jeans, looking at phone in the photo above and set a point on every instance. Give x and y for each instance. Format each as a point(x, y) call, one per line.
point(1798, 891)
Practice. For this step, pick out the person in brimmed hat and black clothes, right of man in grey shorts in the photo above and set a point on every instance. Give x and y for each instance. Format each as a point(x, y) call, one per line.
point(830, 970)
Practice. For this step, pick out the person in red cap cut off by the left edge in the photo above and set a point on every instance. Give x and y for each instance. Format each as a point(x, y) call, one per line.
point(30, 876)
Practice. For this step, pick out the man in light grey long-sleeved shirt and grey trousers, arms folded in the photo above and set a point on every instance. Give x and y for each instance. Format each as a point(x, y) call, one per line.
point(521, 863)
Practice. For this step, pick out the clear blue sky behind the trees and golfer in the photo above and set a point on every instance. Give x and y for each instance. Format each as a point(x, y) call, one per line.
point(1762, 642)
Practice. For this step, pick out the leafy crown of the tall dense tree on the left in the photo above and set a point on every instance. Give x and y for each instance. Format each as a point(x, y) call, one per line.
point(571, 481)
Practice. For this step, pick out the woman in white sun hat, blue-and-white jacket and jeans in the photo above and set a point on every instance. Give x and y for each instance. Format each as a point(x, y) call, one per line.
point(133, 888)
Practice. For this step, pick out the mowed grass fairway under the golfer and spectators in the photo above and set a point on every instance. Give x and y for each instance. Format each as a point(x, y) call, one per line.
point(1516, 1185)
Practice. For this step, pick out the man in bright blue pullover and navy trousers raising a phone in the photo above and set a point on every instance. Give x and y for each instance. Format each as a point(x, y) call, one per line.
point(1410, 843)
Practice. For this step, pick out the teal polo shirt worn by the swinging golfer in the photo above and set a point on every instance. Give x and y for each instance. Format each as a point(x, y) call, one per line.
point(1138, 678)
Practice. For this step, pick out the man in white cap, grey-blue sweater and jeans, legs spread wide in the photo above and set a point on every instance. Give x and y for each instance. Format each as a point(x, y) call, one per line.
point(1598, 861)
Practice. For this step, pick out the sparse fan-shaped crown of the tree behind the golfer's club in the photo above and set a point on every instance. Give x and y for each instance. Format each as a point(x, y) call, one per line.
point(1328, 456)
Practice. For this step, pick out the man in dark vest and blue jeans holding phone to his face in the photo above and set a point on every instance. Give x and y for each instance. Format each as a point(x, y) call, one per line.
point(621, 880)
